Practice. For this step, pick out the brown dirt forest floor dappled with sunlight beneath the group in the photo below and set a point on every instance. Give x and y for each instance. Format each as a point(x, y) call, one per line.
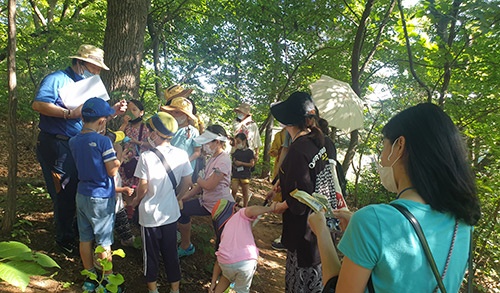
point(35, 228)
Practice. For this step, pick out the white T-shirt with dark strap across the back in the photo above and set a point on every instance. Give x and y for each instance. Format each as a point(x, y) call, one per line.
point(159, 206)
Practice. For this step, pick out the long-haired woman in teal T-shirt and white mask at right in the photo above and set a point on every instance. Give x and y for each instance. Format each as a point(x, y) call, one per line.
point(424, 161)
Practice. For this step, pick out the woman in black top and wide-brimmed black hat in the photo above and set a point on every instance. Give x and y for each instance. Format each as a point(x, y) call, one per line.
point(303, 168)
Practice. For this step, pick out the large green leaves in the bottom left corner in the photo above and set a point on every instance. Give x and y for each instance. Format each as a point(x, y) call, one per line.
point(18, 263)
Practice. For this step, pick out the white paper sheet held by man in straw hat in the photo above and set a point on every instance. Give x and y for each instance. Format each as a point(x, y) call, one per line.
point(75, 94)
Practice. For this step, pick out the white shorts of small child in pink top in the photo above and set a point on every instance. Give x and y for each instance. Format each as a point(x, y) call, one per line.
point(241, 273)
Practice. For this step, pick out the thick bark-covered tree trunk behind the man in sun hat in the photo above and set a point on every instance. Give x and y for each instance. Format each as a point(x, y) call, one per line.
point(124, 44)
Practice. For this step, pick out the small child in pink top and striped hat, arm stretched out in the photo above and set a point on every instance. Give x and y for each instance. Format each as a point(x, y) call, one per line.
point(237, 253)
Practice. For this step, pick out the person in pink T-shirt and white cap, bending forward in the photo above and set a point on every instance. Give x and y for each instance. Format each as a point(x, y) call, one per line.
point(214, 185)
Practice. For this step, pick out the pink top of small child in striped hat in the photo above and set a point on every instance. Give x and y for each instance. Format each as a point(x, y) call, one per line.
point(237, 242)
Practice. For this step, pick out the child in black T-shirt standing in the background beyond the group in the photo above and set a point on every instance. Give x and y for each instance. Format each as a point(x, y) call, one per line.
point(243, 161)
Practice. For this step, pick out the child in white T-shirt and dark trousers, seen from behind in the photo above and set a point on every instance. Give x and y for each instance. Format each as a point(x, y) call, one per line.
point(159, 170)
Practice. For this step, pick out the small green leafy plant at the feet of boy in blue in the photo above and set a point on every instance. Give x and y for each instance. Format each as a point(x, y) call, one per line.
point(112, 281)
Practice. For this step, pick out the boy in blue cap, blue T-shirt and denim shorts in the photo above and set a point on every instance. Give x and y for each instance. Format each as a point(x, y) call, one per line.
point(97, 164)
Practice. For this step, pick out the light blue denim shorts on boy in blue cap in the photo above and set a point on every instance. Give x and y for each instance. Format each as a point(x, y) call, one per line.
point(96, 219)
